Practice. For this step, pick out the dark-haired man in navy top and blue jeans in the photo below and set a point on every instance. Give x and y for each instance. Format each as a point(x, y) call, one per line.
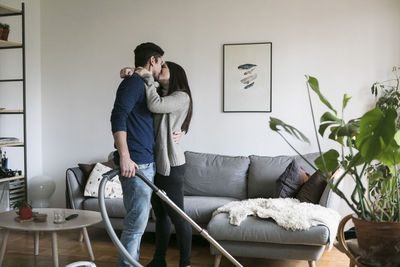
point(132, 127)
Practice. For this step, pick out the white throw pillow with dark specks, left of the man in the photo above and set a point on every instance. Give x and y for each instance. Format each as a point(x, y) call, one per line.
point(113, 188)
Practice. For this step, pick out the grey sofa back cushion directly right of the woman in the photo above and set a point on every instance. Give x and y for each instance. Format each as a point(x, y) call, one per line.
point(216, 175)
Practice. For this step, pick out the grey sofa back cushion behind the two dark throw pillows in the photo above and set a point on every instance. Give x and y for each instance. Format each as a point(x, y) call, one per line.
point(264, 171)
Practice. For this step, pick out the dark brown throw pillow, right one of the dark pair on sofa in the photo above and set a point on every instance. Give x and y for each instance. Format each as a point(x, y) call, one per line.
point(312, 190)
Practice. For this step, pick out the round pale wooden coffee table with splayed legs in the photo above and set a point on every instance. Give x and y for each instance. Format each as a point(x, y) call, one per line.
point(85, 218)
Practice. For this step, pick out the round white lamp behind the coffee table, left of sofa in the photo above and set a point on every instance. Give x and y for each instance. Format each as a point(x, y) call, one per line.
point(41, 188)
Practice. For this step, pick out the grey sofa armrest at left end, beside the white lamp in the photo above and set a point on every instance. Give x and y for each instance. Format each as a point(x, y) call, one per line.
point(75, 186)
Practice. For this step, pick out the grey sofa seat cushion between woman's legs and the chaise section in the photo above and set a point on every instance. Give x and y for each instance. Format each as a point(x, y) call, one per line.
point(200, 208)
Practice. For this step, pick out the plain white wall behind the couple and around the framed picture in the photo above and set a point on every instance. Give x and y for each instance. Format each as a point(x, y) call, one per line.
point(346, 44)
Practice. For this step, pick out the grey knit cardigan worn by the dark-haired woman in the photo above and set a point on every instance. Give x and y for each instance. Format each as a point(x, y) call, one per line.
point(169, 114)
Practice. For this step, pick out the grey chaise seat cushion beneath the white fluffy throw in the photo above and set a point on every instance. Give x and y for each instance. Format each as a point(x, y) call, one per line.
point(254, 229)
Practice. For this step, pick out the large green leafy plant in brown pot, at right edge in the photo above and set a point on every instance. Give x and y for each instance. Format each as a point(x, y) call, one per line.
point(369, 154)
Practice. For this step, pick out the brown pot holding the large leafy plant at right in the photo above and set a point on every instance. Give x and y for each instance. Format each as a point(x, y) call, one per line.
point(379, 242)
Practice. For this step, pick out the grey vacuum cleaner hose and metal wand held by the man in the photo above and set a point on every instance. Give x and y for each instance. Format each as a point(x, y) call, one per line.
point(108, 176)
